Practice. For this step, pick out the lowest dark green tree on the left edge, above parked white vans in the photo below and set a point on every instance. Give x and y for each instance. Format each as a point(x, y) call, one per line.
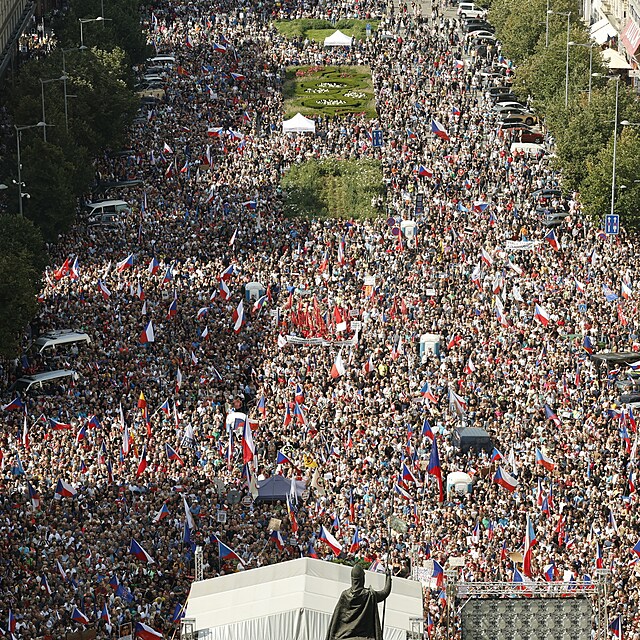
point(22, 259)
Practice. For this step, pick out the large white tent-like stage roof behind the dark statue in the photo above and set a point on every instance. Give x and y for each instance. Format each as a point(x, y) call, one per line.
point(291, 600)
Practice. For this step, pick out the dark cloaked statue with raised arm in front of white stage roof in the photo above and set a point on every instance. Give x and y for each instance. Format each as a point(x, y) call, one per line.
point(356, 614)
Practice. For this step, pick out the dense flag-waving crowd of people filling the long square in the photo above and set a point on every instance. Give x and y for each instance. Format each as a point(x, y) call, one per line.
point(144, 447)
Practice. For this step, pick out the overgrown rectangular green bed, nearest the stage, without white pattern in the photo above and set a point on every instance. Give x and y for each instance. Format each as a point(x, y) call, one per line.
point(332, 188)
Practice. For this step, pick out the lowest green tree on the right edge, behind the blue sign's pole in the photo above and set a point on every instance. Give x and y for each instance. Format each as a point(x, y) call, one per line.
point(596, 187)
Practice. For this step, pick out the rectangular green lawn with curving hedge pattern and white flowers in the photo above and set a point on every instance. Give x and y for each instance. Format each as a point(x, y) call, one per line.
point(329, 91)
